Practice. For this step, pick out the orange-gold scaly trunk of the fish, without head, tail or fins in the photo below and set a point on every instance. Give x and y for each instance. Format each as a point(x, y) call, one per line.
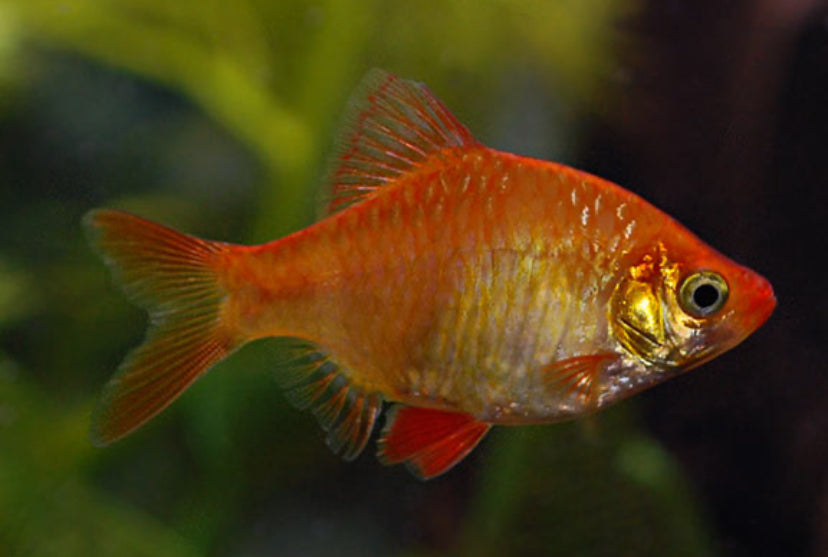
point(457, 286)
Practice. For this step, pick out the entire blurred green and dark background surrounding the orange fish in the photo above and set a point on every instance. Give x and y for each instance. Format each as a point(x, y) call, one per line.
point(218, 118)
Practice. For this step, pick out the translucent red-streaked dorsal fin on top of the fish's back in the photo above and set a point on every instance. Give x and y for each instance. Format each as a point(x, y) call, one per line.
point(391, 126)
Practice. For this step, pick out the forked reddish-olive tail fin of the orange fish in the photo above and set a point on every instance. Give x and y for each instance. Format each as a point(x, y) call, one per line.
point(173, 276)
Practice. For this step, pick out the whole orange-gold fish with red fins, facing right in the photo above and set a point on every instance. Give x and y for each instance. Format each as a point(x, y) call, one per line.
point(454, 285)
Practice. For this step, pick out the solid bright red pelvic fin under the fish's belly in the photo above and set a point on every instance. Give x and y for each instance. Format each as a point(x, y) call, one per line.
point(429, 441)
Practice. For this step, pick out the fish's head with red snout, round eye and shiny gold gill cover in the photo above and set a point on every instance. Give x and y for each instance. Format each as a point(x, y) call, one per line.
point(681, 304)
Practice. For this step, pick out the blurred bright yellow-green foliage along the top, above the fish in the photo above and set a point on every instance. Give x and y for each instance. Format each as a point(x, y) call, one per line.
point(275, 74)
